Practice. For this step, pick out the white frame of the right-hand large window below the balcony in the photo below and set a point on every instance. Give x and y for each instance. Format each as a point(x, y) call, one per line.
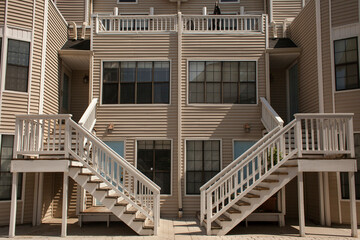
point(256, 60)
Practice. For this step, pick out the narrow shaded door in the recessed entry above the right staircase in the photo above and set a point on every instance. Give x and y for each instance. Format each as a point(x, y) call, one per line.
point(293, 98)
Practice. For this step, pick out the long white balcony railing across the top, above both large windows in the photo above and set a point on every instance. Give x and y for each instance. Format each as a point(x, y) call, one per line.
point(239, 24)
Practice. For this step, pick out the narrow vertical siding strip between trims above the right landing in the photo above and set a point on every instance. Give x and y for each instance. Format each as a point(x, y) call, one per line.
point(326, 57)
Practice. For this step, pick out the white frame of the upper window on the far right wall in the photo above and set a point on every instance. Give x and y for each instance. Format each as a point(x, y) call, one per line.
point(345, 64)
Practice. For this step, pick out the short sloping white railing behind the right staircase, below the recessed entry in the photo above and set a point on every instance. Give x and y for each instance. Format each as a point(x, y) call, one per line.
point(269, 116)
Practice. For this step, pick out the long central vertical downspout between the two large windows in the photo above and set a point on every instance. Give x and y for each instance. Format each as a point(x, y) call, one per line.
point(179, 112)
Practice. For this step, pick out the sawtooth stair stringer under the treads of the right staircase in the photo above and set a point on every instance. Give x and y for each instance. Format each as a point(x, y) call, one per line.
point(254, 203)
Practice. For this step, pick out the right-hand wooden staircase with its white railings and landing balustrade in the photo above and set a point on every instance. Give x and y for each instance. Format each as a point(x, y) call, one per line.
point(240, 188)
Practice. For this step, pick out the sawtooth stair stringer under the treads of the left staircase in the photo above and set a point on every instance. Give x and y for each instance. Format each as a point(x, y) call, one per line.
point(118, 211)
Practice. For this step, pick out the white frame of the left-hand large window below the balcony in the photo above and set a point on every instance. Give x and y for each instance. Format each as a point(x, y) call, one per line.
point(134, 60)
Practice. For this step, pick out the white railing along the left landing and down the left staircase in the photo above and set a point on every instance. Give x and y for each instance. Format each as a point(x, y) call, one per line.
point(59, 134)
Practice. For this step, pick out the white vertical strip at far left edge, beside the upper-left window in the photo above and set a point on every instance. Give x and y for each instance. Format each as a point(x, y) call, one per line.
point(3, 59)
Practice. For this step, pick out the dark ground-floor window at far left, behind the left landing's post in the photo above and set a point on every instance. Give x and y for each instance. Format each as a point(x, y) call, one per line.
point(7, 142)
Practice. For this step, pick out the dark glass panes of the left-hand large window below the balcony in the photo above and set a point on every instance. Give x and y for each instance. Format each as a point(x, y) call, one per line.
point(136, 82)
